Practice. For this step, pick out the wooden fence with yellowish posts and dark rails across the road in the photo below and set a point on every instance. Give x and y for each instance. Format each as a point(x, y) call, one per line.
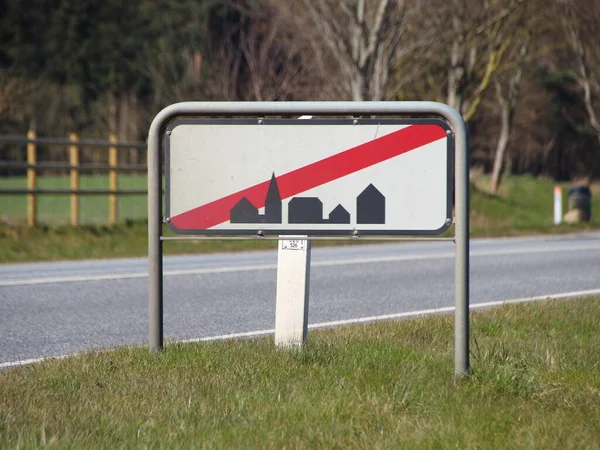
point(74, 145)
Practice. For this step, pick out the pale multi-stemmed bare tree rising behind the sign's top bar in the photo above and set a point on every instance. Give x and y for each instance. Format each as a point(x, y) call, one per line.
point(356, 44)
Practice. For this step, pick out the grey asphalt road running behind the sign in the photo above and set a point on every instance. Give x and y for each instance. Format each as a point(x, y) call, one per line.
point(52, 309)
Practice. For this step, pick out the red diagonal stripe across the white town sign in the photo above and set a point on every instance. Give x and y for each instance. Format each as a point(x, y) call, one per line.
point(313, 175)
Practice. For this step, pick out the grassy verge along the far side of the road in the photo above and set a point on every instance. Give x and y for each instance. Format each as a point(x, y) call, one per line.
point(524, 207)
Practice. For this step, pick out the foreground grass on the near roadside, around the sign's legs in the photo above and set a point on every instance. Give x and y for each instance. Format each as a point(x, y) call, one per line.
point(535, 383)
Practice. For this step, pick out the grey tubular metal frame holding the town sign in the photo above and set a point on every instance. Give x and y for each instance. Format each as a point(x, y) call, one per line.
point(156, 141)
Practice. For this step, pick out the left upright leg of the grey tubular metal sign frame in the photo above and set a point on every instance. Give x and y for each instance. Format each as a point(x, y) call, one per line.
point(155, 249)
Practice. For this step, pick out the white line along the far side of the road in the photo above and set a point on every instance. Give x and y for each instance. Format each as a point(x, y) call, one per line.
point(257, 267)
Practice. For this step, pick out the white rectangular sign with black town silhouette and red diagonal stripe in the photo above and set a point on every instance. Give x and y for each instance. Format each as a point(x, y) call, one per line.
point(318, 176)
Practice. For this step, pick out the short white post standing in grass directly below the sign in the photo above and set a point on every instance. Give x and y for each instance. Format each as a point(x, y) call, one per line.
point(293, 280)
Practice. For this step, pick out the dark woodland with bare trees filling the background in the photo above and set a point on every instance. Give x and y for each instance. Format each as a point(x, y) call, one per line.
point(524, 73)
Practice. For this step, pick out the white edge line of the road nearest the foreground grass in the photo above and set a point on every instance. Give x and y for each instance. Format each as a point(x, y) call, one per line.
point(404, 315)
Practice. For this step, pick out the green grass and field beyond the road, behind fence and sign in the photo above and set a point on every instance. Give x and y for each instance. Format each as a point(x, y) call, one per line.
point(523, 207)
